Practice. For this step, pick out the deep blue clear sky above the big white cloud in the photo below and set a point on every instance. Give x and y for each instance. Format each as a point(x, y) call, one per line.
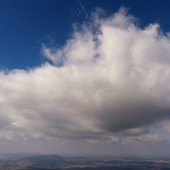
point(26, 25)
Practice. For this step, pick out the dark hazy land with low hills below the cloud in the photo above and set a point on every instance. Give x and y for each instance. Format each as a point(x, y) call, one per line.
point(55, 162)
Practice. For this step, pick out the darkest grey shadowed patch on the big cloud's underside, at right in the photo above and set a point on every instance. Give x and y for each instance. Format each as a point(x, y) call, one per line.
point(118, 119)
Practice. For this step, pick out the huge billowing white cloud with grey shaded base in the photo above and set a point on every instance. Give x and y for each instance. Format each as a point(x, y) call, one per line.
point(110, 79)
